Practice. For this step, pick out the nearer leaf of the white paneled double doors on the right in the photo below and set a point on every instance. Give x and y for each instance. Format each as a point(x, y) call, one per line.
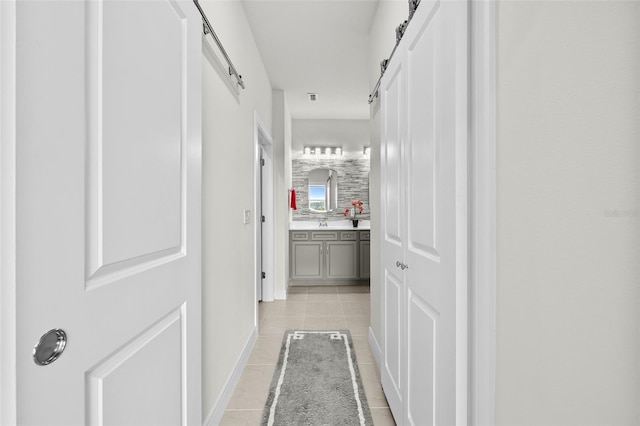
point(430, 172)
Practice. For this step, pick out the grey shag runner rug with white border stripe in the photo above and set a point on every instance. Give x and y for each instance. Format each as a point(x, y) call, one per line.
point(316, 382)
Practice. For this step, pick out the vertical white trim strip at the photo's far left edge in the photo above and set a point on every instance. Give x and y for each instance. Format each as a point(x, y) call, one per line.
point(8, 307)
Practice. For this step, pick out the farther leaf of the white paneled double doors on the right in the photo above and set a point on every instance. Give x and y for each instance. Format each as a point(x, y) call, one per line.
point(392, 234)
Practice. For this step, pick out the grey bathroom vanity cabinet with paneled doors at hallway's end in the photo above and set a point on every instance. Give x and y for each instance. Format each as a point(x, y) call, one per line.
point(331, 256)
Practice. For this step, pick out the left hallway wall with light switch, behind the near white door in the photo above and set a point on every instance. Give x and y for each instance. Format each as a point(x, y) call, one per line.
point(228, 298)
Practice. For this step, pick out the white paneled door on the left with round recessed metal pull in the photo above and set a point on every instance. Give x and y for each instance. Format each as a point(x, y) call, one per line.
point(108, 181)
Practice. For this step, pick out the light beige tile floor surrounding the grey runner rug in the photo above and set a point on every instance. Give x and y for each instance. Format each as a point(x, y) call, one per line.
point(307, 308)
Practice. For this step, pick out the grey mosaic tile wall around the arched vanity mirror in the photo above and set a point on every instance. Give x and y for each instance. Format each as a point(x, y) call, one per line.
point(353, 184)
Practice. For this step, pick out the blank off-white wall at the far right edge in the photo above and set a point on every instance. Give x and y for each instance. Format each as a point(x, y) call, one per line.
point(568, 326)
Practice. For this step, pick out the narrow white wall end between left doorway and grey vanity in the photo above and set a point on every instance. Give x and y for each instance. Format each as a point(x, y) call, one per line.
point(282, 183)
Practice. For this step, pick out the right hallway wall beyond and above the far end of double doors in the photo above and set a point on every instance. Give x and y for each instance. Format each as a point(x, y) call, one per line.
point(382, 38)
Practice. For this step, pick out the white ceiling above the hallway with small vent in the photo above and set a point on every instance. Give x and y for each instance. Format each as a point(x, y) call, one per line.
point(311, 46)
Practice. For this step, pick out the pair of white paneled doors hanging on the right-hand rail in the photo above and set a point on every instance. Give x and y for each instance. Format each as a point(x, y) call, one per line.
point(424, 119)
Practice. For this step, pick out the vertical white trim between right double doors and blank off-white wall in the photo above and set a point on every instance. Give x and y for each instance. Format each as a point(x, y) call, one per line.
point(482, 213)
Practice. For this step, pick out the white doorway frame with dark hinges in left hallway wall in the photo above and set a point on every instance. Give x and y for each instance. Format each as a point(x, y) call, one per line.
point(263, 196)
